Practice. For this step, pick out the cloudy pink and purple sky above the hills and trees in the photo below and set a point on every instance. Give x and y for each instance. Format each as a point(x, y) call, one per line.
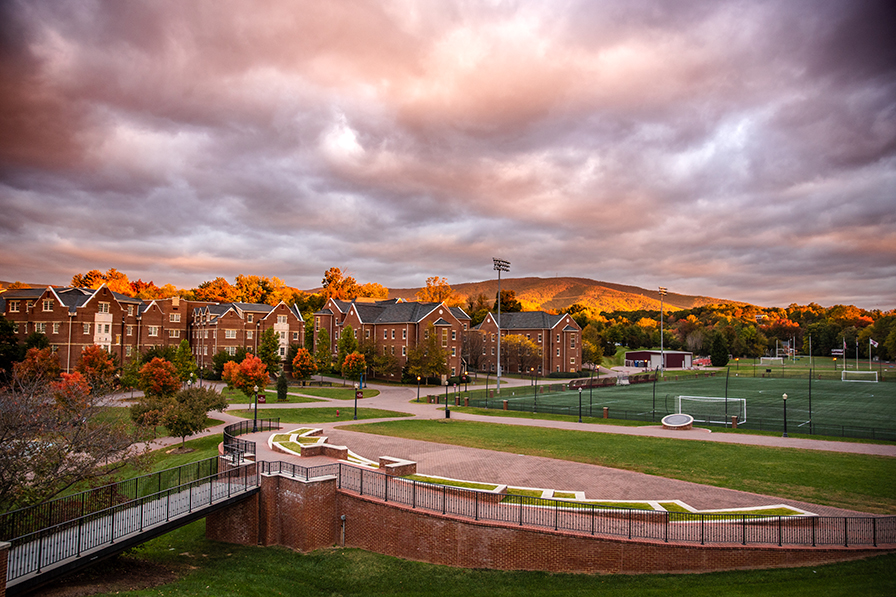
point(740, 150)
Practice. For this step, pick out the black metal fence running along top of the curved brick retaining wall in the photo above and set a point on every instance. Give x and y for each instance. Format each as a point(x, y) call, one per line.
point(560, 515)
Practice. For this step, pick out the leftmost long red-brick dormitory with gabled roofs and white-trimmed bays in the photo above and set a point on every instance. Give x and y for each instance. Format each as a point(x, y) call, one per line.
point(74, 318)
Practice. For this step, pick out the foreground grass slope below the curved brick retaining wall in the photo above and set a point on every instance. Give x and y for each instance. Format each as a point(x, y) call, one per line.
point(213, 569)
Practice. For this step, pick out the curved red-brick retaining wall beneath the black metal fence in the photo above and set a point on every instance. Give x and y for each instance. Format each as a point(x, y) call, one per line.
point(305, 515)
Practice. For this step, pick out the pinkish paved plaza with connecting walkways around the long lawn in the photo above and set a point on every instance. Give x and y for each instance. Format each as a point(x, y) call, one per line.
point(530, 471)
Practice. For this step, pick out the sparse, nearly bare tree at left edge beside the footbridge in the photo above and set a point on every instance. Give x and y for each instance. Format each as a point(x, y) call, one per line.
point(55, 436)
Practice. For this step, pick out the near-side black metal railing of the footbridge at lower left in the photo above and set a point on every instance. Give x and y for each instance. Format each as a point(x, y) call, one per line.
point(59, 542)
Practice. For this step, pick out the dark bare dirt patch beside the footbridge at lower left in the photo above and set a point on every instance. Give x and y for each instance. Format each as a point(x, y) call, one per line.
point(113, 575)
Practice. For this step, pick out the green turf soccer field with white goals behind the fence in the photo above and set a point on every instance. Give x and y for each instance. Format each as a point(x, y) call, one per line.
point(857, 409)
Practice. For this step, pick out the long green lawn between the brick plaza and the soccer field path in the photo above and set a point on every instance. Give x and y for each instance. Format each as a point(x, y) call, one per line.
point(854, 481)
